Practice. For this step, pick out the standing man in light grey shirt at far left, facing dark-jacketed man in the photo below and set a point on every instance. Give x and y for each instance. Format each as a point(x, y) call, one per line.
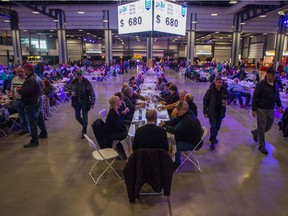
point(18, 103)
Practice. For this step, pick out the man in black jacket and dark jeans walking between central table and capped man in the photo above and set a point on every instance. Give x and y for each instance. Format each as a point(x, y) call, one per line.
point(214, 108)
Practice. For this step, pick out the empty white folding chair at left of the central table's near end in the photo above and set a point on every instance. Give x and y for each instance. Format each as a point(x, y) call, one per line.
point(102, 155)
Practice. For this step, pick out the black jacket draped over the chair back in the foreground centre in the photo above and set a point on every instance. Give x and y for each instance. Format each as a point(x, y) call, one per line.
point(152, 166)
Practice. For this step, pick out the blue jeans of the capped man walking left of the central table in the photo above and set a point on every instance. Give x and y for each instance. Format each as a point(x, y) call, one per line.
point(81, 106)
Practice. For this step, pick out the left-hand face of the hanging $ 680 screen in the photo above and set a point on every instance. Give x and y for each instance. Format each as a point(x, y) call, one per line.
point(135, 17)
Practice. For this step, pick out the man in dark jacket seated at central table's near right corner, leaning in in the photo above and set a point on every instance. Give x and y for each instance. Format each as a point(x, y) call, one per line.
point(186, 129)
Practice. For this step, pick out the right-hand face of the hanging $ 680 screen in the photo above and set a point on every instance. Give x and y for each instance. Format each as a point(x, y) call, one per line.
point(169, 17)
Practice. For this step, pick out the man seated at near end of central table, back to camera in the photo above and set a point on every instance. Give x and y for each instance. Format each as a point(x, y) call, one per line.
point(150, 135)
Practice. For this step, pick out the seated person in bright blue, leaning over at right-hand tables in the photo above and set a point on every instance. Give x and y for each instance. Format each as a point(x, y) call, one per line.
point(239, 92)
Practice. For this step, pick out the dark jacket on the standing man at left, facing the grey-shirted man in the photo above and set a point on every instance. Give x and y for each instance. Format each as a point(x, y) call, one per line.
point(31, 89)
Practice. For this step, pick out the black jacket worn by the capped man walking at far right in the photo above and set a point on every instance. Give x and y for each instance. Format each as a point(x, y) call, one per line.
point(265, 96)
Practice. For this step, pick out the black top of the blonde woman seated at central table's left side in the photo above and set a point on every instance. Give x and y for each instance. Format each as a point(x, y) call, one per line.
point(113, 123)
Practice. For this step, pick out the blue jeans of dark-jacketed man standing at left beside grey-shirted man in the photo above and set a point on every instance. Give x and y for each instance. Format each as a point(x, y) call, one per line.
point(35, 117)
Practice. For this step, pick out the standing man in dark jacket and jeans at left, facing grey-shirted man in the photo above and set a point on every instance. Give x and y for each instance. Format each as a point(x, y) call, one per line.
point(31, 97)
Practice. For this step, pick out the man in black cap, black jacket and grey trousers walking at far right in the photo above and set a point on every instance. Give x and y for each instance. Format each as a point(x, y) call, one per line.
point(264, 98)
